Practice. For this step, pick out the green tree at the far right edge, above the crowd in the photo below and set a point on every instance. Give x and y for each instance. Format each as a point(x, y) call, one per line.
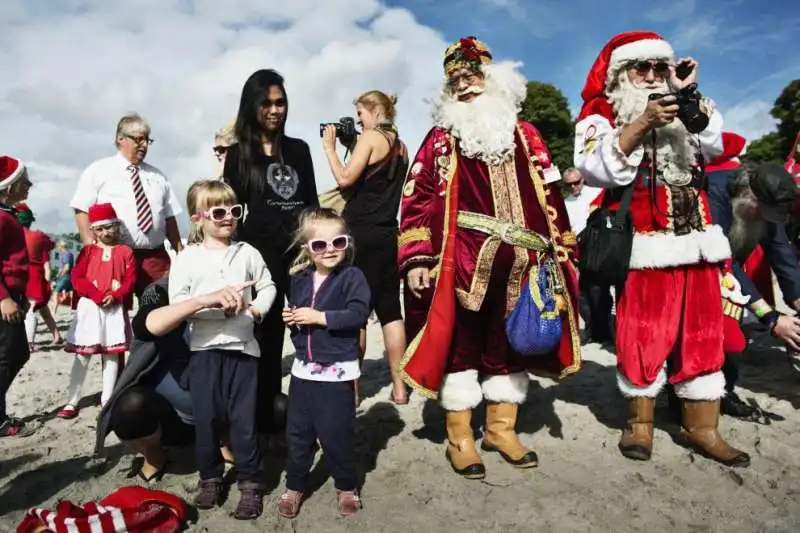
point(775, 146)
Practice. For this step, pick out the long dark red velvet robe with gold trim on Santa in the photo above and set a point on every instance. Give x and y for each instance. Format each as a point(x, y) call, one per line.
point(441, 182)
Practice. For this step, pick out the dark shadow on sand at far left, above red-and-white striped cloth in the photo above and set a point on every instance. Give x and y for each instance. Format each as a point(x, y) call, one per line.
point(34, 487)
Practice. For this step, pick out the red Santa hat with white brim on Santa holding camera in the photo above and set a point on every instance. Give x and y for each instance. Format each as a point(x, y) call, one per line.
point(620, 50)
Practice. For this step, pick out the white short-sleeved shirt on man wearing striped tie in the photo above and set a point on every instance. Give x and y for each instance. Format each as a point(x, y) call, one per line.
point(109, 180)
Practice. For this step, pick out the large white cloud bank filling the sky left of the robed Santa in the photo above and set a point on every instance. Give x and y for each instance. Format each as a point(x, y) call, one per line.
point(71, 71)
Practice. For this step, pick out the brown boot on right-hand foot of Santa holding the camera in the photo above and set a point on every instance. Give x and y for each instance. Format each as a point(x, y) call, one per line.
point(700, 422)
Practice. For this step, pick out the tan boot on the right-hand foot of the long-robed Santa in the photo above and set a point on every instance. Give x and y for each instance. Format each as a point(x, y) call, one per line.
point(501, 437)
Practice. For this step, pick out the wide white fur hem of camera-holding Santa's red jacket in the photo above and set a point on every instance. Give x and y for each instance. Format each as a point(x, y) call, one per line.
point(659, 250)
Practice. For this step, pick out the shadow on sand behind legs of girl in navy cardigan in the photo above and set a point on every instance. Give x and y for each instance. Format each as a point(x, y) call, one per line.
point(374, 430)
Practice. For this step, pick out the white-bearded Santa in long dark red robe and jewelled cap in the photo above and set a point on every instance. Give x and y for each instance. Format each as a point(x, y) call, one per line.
point(480, 163)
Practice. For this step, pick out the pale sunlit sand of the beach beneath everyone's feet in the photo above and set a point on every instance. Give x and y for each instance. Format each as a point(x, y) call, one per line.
point(582, 485)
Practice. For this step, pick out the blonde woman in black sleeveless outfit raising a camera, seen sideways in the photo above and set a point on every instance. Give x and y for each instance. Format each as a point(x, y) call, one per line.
point(372, 183)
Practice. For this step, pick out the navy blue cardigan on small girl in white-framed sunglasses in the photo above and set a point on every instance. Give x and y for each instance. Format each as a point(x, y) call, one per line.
point(344, 297)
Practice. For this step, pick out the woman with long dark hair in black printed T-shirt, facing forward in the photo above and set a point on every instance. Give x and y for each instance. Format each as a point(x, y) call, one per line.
point(273, 176)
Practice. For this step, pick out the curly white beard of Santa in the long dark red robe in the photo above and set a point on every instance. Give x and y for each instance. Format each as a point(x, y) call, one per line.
point(485, 126)
